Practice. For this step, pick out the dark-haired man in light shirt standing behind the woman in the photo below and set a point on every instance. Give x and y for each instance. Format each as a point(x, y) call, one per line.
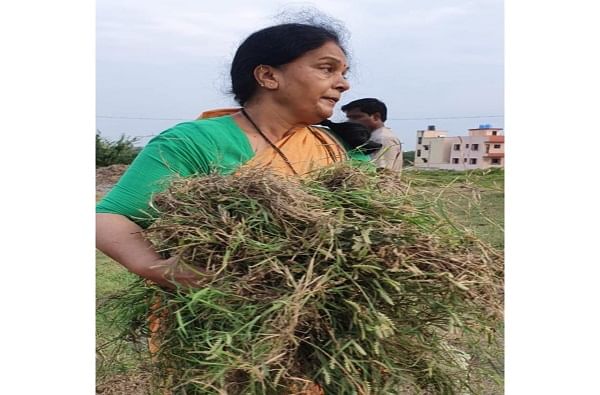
point(372, 113)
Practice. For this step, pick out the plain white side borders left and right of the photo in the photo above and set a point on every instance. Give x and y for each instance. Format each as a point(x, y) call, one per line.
point(47, 92)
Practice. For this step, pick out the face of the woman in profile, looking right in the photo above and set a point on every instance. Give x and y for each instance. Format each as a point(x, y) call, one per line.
point(311, 85)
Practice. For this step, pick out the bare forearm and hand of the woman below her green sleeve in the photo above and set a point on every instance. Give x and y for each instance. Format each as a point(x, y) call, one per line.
point(122, 240)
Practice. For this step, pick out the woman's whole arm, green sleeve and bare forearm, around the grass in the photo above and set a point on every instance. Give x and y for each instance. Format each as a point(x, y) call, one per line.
point(165, 156)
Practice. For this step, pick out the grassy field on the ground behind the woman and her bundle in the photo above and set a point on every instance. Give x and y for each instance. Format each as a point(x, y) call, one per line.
point(472, 199)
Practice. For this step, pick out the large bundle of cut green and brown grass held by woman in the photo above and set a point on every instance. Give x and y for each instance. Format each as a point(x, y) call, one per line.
point(348, 279)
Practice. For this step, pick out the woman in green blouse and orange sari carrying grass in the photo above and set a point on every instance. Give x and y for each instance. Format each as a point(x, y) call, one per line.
point(286, 78)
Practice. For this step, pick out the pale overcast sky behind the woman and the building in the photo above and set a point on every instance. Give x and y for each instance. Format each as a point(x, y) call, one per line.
point(167, 61)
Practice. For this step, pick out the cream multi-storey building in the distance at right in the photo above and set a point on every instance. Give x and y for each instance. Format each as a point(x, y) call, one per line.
point(481, 149)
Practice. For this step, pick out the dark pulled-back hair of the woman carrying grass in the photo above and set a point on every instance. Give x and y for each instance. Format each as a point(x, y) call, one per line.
point(274, 46)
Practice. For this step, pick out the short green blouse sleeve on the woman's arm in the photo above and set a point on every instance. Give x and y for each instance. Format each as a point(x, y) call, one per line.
point(180, 151)
